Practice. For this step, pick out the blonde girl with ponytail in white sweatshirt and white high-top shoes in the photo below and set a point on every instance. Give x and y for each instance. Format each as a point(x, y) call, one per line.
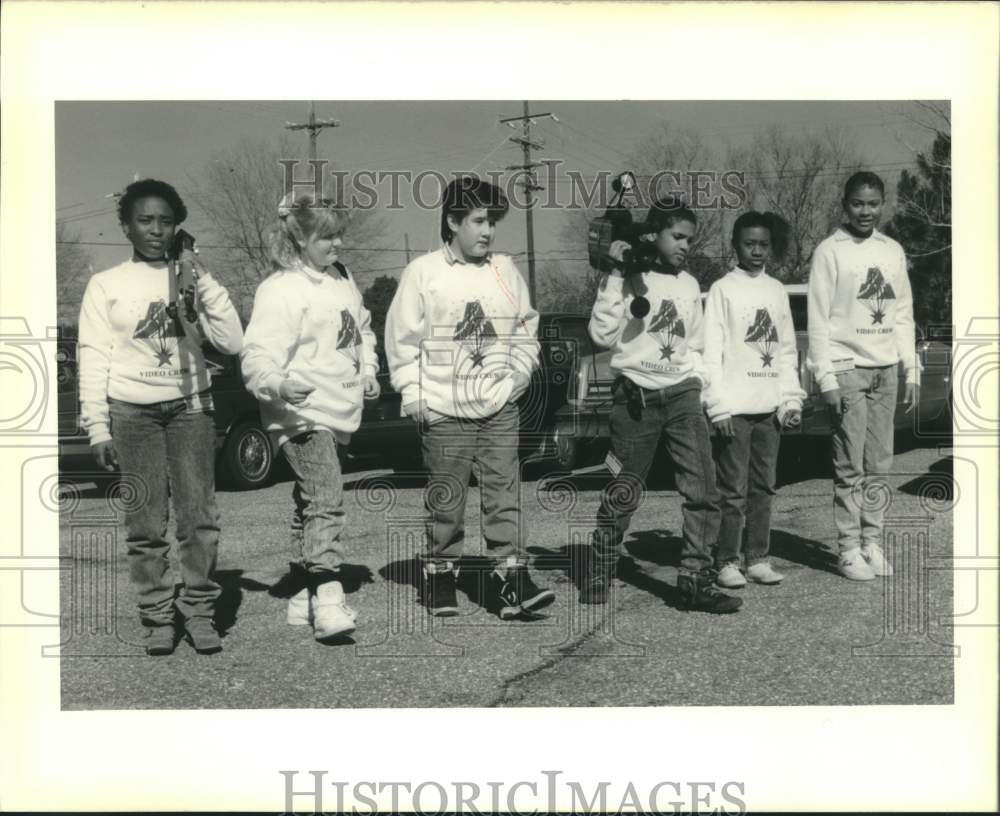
point(309, 358)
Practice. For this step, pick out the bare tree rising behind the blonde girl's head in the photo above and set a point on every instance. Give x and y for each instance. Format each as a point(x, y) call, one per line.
point(238, 190)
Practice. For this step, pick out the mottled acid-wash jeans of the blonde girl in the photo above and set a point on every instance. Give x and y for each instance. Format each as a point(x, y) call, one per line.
point(318, 501)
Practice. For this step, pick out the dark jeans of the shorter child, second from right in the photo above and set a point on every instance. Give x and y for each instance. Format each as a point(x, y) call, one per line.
point(746, 471)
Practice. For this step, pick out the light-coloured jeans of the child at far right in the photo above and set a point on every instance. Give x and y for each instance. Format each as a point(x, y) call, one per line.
point(862, 454)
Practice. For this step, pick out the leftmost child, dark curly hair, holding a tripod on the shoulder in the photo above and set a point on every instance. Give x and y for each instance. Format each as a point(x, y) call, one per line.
point(146, 403)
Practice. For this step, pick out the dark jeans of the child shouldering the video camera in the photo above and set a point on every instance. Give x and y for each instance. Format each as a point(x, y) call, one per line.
point(675, 416)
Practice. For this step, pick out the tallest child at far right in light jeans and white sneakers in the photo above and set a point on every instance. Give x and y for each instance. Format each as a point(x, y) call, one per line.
point(860, 329)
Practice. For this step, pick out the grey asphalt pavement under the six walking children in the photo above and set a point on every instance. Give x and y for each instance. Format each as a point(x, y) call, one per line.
point(816, 639)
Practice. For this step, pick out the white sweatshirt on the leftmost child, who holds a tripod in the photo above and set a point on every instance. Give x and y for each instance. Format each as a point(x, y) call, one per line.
point(132, 346)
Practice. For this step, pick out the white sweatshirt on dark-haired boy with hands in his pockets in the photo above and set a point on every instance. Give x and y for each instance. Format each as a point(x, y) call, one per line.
point(461, 337)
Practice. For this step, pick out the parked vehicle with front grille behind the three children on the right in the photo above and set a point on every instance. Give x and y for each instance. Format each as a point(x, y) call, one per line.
point(582, 431)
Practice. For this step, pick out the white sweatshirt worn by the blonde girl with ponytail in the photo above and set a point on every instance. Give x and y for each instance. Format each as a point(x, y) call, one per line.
point(313, 327)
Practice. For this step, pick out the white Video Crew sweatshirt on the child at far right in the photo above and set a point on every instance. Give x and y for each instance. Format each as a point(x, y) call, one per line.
point(860, 307)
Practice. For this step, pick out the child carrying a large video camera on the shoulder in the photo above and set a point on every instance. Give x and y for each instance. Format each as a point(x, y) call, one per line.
point(657, 396)
